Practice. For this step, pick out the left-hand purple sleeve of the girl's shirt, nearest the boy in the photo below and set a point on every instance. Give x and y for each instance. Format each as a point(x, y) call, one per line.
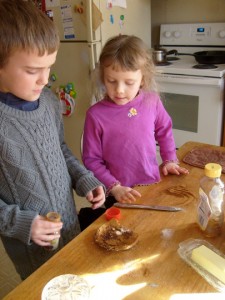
point(92, 151)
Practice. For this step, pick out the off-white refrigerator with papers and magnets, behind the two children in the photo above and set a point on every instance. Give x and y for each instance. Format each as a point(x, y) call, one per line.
point(84, 27)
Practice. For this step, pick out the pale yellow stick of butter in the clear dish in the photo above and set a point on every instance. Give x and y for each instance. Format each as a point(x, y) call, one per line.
point(210, 261)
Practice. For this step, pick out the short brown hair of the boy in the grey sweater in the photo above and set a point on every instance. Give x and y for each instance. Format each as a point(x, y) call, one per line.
point(24, 27)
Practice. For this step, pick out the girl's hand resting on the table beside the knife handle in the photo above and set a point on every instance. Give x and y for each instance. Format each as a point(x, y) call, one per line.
point(124, 194)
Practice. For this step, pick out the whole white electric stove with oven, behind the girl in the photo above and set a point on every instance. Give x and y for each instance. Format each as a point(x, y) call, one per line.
point(193, 97)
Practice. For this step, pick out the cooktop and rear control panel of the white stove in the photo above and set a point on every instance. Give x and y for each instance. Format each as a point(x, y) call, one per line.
point(191, 38)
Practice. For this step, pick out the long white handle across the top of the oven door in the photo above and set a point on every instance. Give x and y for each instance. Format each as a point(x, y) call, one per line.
point(193, 80)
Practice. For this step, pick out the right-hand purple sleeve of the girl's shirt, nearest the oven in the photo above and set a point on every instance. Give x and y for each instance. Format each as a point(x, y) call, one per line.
point(164, 134)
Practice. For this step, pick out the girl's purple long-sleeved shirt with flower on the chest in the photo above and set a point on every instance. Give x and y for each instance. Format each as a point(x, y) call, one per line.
point(119, 142)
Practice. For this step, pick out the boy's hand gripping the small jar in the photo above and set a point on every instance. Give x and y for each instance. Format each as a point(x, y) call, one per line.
point(43, 231)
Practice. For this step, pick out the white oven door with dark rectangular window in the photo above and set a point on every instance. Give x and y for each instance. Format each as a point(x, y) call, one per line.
point(195, 105)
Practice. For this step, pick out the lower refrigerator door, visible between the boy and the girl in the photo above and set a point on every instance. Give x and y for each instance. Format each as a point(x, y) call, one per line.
point(72, 65)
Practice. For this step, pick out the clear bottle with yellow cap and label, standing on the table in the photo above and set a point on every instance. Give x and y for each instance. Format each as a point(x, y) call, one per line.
point(210, 211)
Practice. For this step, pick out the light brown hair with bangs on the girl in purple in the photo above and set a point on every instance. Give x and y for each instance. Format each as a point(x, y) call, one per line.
point(128, 53)
